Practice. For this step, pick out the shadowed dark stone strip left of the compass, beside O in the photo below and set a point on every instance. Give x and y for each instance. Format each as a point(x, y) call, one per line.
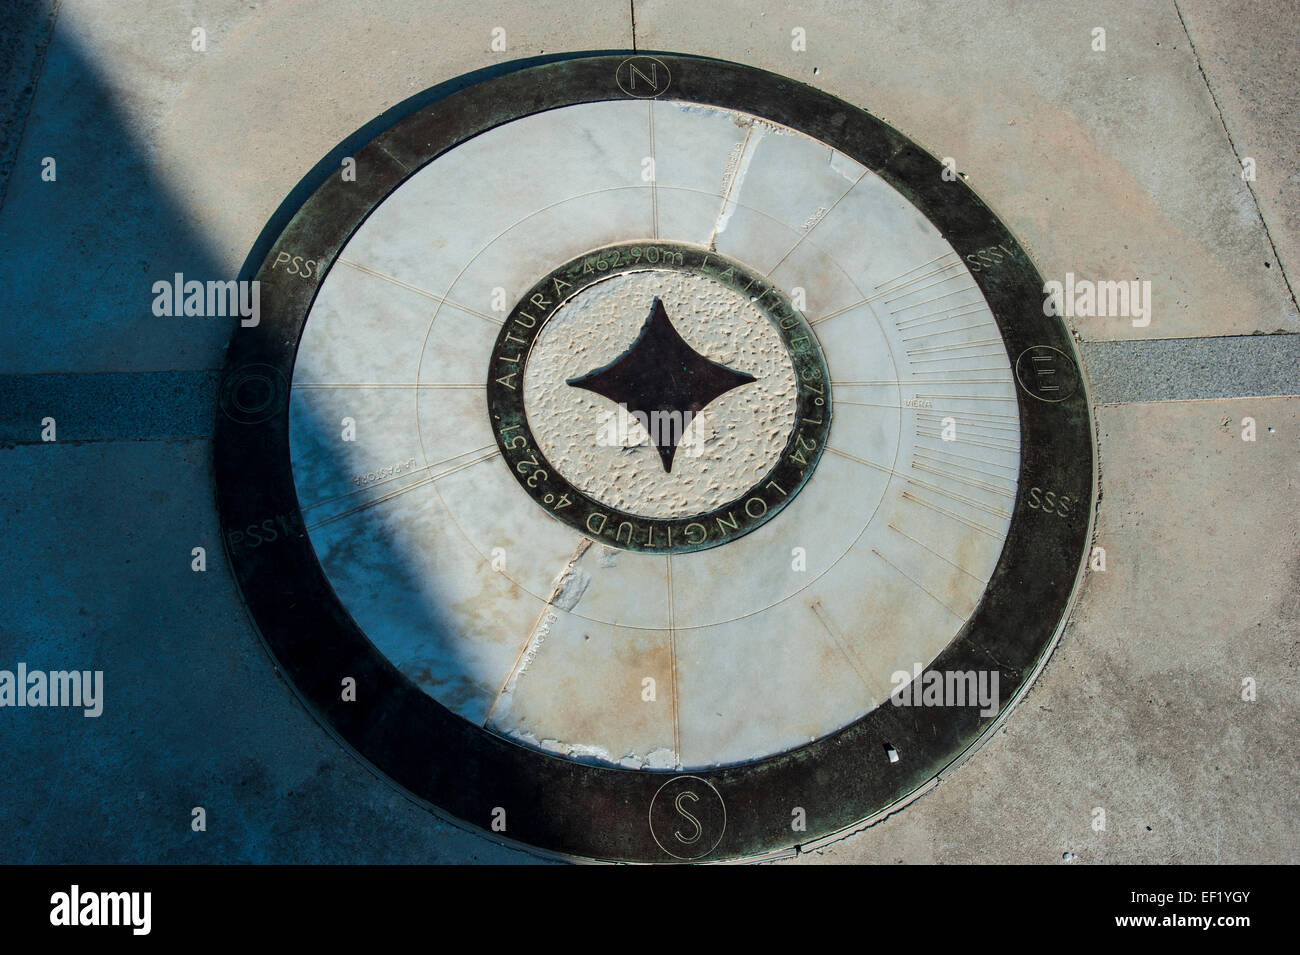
point(123, 406)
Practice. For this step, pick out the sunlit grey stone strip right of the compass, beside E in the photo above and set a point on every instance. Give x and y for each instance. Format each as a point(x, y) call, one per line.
point(1181, 370)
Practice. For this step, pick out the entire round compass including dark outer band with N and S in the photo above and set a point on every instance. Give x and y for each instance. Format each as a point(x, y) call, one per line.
point(582, 668)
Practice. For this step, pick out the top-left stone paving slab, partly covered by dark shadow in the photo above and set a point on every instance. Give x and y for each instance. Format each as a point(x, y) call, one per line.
point(172, 160)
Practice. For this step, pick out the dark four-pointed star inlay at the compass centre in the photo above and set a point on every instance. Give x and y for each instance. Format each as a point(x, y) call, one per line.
point(662, 377)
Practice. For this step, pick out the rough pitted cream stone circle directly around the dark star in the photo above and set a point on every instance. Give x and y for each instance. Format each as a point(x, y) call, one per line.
point(606, 452)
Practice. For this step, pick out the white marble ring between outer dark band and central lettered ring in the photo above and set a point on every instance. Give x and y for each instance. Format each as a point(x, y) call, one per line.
point(523, 626)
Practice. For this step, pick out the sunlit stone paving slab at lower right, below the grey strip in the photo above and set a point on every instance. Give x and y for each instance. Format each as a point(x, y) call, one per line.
point(1139, 711)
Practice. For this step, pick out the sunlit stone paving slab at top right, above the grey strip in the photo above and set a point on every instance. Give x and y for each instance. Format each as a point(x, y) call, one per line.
point(1110, 166)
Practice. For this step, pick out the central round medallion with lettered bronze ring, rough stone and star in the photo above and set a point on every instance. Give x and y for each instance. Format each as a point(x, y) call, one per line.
point(658, 394)
